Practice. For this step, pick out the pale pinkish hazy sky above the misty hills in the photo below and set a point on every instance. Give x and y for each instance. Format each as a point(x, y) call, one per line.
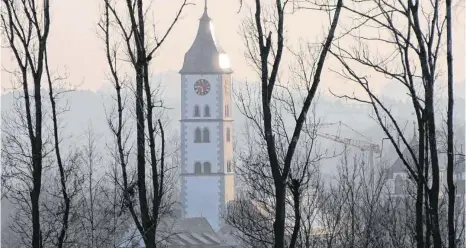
point(74, 43)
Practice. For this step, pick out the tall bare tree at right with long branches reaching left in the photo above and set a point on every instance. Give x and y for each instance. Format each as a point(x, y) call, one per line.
point(421, 41)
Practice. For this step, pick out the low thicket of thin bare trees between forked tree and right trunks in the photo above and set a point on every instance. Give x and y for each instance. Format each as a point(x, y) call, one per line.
point(359, 209)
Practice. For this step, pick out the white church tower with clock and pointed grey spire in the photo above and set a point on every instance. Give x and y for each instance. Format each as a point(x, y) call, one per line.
point(207, 173)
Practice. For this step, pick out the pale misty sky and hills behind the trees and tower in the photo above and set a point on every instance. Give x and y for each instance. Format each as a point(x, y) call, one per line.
point(89, 104)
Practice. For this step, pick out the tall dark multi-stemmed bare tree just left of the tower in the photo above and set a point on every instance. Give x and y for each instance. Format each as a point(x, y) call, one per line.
point(140, 56)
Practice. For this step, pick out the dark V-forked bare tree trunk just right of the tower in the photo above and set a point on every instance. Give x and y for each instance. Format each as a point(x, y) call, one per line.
point(268, 74)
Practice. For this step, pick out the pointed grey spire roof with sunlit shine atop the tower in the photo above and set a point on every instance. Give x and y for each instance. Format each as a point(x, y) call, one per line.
point(205, 54)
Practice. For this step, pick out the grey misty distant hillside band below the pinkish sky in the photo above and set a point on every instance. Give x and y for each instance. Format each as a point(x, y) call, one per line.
point(91, 108)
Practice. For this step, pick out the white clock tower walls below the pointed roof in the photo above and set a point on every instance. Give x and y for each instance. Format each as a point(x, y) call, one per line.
point(206, 194)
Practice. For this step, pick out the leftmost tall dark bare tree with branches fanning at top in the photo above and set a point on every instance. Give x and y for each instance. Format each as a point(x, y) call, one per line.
point(20, 38)
